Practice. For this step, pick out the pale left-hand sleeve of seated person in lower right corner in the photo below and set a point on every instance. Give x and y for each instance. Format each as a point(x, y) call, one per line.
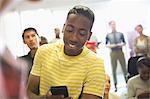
point(131, 91)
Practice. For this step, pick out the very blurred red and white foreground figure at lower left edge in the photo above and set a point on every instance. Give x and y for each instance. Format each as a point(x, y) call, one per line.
point(12, 77)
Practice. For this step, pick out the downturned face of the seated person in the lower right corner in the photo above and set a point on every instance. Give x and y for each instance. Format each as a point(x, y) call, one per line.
point(144, 72)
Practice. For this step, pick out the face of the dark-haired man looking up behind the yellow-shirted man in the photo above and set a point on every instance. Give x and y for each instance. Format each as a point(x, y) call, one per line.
point(31, 39)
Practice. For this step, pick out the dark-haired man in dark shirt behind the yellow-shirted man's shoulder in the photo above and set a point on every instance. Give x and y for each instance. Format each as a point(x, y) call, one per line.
point(30, 37)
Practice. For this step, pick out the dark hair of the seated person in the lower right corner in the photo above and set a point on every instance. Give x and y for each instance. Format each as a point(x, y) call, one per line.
point(143, 60)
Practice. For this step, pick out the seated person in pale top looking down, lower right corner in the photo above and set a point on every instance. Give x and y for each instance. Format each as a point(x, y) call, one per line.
point(139, 85)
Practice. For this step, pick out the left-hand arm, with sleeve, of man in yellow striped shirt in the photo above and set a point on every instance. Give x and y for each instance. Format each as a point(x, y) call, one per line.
point(33, 90)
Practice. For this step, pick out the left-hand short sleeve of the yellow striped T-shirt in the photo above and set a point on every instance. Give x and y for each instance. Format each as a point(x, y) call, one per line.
point(36, 68)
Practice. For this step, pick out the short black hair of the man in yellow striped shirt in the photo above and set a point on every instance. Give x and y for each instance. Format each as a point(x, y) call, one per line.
point(83, 10)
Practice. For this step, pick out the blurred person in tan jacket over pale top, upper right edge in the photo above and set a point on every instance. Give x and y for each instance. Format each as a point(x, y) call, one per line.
point(141, 47)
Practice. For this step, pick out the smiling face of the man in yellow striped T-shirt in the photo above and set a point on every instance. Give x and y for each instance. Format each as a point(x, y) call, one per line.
point(76, 33)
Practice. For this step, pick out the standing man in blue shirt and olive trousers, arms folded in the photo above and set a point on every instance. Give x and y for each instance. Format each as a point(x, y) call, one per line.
point(115, 41)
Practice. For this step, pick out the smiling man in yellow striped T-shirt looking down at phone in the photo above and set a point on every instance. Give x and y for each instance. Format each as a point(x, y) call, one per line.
point(70, 63)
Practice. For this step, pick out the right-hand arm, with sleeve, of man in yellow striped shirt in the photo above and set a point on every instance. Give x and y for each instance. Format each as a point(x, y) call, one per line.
point(93, 87)
